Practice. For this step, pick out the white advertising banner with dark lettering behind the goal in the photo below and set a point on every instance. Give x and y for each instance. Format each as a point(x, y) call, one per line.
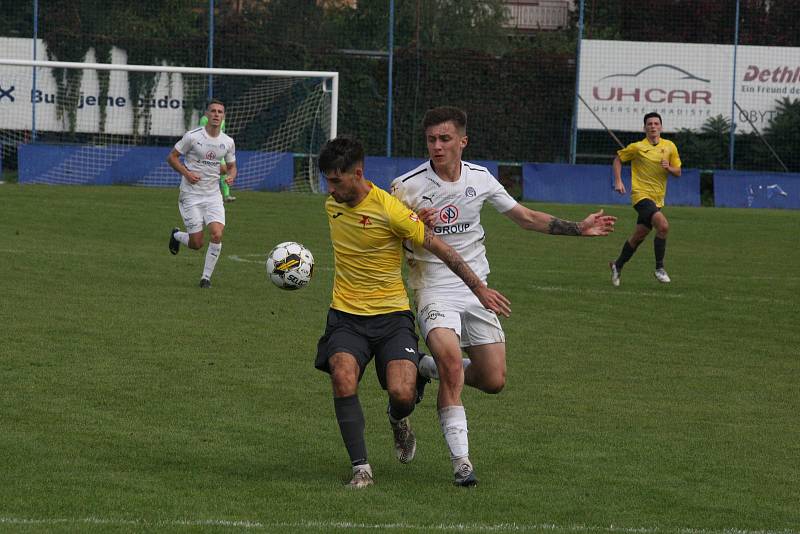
point(18, 97)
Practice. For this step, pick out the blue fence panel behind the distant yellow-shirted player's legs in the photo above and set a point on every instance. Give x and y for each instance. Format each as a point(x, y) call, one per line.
point(594, 184)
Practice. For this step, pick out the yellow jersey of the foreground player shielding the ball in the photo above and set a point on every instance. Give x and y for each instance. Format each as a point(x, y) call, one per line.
point(367, 247)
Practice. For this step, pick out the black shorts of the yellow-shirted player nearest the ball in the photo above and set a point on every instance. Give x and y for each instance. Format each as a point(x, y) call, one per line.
point(386, 337)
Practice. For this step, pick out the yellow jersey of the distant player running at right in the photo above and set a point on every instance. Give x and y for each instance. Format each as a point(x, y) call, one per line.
point(648, 177)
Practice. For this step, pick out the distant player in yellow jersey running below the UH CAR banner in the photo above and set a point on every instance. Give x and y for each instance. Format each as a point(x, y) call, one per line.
point(652, 159)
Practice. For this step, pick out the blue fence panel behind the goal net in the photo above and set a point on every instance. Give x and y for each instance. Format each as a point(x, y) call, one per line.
point(94, 165)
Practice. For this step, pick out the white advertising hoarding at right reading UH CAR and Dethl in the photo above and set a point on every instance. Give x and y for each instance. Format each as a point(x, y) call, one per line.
point(686, 83)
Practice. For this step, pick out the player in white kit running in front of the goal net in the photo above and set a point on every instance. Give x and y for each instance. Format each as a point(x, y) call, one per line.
point(200, 201)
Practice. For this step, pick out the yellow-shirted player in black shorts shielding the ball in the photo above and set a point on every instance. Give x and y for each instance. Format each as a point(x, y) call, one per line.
point(370, 316)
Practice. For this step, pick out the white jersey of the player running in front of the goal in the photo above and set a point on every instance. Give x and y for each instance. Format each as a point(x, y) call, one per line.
point(201, 154)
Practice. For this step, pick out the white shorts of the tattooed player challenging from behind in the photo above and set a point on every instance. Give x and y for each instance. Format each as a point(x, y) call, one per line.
point(460, 311)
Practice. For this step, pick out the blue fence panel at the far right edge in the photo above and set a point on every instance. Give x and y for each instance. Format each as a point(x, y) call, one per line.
point(739, 189)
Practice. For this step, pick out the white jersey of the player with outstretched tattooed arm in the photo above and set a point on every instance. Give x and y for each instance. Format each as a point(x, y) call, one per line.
point(458, 205)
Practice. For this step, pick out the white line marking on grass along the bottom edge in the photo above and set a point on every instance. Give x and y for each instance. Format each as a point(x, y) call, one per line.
point(347, 526)
